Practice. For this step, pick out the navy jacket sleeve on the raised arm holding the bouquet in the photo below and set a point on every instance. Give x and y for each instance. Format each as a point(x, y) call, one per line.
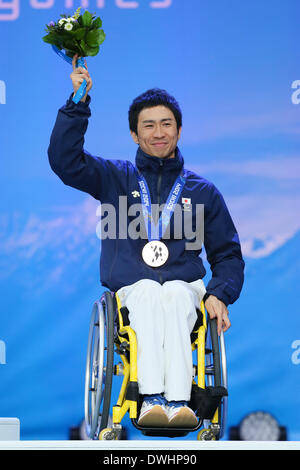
point(67, 157)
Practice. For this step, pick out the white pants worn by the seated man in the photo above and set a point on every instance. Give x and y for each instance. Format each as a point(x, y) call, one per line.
point(163, 317)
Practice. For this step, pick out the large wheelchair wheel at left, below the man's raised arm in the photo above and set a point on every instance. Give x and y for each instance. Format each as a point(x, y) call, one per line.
point(99, 366)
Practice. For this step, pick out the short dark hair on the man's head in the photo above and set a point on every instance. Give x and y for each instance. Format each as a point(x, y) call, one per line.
point(150, 98)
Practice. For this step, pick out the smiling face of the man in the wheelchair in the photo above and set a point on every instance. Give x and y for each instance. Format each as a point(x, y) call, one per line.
point(157, 133)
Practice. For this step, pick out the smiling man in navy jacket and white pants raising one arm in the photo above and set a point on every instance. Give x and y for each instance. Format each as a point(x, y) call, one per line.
point(159, 279)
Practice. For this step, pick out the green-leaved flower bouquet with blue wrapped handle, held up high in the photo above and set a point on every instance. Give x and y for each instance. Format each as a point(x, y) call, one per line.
point(77, 34)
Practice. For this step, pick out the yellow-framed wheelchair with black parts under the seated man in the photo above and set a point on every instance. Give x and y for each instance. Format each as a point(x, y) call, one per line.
point(110, 336)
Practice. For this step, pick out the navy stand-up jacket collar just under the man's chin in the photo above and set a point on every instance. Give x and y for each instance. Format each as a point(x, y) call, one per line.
point(145, 162)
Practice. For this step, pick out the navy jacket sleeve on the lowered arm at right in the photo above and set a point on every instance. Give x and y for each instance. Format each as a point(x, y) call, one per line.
point(223, 250)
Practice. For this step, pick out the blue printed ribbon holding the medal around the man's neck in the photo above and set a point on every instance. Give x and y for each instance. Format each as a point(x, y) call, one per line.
point(156, 231)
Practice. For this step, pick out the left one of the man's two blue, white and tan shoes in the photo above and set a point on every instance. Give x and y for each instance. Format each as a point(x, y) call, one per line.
point(153, 412)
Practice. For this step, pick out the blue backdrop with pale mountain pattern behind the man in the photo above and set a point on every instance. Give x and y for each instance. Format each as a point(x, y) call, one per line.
point(234, 68)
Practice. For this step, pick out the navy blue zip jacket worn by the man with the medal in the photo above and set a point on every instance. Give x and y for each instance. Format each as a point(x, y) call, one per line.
point(120, 261)
